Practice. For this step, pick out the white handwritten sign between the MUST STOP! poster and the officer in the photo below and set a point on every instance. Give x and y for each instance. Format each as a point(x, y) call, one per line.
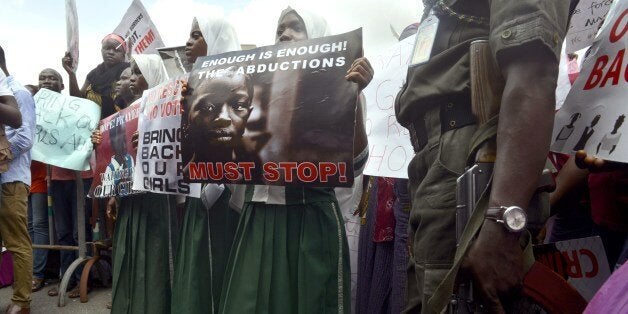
point(390, 150)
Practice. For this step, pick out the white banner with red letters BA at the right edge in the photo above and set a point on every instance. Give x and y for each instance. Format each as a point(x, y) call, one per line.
point(594, 110)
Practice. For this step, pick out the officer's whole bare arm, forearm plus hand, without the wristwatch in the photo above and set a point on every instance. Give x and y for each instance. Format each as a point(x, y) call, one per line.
point(526, 119)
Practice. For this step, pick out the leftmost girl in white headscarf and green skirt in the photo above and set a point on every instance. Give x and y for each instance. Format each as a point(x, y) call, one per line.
point(142, 233)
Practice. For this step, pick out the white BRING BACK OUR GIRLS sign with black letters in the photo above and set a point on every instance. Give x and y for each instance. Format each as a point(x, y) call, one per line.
point(160, 167)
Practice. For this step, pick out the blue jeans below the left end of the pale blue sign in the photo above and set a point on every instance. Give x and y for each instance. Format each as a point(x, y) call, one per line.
point(38, 230)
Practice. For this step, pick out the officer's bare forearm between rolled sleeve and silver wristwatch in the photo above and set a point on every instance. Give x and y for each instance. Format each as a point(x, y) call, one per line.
point(525, 127)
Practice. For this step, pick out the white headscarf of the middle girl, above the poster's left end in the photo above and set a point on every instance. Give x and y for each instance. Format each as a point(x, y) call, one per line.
point(219, 35)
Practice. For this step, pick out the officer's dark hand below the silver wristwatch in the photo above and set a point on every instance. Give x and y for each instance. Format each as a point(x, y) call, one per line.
point(495, 263)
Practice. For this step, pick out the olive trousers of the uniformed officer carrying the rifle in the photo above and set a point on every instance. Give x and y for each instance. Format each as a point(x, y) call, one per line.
point(432, 188)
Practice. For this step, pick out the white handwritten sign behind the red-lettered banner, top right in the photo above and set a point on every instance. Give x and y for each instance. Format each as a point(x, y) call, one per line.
point(585, 21)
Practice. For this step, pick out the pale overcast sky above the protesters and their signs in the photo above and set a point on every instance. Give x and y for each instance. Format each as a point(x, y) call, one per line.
point(32, 32)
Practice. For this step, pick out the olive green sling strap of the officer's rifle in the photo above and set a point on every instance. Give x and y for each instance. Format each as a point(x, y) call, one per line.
point(442, 295)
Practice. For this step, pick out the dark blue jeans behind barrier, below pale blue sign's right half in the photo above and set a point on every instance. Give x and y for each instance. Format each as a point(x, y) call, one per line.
point(64, 202)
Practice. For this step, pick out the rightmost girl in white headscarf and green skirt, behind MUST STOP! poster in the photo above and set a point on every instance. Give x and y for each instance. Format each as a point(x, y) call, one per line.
point(291, 244)
